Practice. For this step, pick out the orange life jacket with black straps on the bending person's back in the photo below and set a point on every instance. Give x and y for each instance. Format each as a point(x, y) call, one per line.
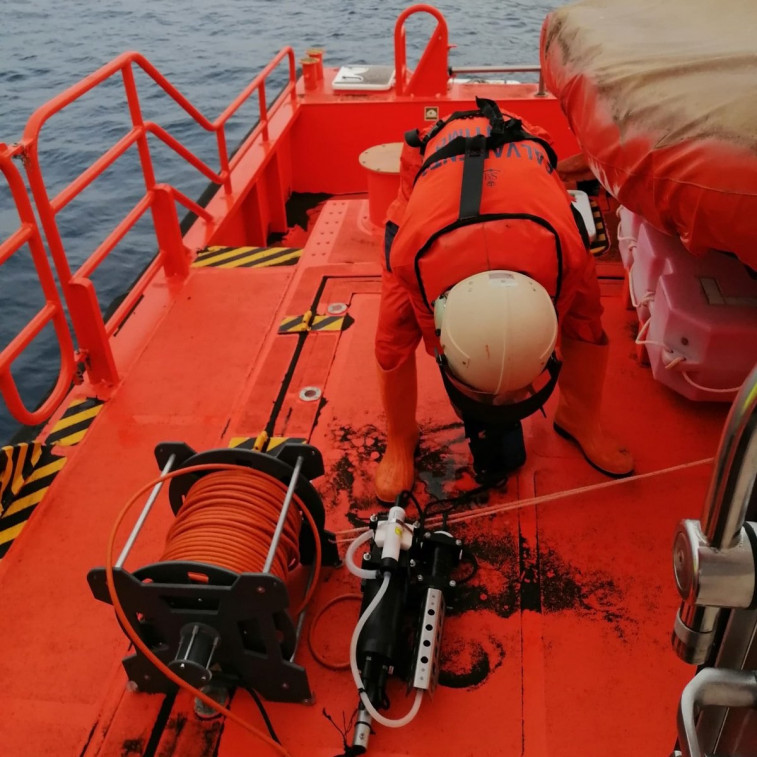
point(487, 197)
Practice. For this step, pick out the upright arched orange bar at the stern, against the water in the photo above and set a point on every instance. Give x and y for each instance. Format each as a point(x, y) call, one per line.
point(431, 76)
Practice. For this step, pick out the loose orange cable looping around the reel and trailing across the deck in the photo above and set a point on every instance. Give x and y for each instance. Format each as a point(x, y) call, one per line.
point(134, 636)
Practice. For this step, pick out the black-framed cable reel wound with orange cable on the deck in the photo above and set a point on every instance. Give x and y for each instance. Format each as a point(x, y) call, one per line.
point(216, 606)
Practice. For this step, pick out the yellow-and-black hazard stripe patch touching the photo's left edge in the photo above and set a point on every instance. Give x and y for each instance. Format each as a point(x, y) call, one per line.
point(26, 472)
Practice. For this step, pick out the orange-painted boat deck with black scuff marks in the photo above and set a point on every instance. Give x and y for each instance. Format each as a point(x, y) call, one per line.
point(558, 645)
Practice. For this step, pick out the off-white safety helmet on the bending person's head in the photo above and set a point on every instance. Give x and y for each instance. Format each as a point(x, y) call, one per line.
point(497, 330)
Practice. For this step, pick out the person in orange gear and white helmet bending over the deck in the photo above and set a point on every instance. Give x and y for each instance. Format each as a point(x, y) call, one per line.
point(486, 260)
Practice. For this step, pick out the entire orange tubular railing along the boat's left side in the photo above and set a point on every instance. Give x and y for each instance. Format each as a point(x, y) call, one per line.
point(92, 332)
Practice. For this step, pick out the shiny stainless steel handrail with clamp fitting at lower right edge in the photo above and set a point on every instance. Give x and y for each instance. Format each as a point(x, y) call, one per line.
point(714, 563)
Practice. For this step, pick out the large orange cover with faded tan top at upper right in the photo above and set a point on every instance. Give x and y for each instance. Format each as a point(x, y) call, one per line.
point(662, 98)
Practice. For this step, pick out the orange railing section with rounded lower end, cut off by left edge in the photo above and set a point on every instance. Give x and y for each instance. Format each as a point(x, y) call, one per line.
point(28, 233)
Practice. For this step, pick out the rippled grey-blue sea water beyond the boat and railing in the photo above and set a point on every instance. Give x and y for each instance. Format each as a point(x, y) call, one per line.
point(209, 52)
